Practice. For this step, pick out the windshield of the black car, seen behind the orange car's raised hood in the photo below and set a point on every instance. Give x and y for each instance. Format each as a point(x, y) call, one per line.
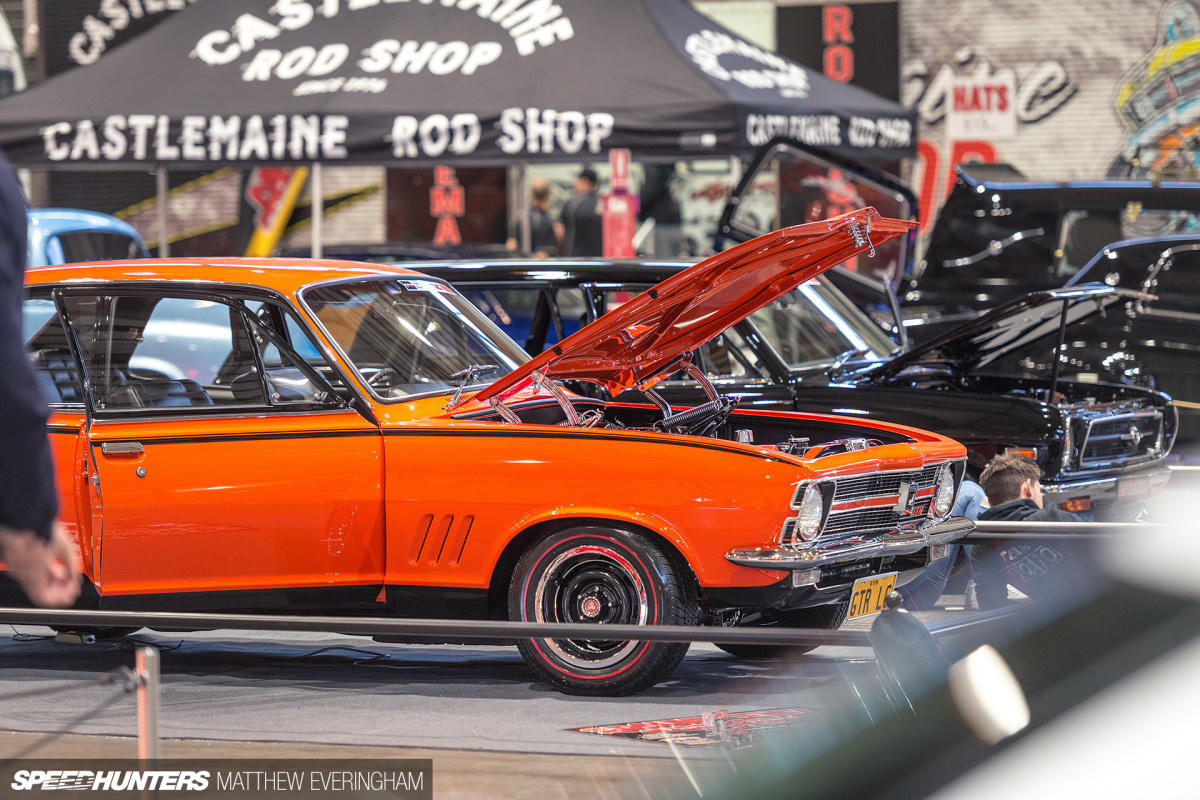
point(815, 324)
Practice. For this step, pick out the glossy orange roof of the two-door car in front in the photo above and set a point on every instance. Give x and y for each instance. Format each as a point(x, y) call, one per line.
point(286, 275)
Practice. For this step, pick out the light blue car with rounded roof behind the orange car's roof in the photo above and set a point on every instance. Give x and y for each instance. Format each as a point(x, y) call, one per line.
point(70, 236)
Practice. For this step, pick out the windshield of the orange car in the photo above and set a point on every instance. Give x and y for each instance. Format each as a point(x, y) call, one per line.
point(411, 336)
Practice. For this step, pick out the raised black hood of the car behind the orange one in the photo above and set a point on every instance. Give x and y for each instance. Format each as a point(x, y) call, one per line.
point(979, 344)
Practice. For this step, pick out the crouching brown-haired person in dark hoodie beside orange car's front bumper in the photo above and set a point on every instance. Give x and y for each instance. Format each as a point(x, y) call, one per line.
point(1013, 484)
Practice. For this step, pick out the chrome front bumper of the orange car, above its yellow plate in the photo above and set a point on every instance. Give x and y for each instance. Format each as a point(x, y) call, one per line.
point(903, 543)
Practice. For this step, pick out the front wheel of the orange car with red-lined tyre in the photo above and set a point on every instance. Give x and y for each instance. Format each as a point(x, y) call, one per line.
point(602, 576)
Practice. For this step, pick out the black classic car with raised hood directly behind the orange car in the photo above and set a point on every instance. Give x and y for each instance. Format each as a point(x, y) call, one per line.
point(1101, 446)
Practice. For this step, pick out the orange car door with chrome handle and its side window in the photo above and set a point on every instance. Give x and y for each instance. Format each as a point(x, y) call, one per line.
point(224, 460)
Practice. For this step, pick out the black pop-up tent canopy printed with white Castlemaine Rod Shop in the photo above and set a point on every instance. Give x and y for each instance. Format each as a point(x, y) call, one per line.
point(421, 82)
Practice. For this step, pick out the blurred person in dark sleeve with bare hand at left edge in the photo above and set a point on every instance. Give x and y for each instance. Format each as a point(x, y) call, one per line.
point(34, 548)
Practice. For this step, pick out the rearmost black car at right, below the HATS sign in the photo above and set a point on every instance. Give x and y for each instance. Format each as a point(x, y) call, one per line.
point(1000, 236)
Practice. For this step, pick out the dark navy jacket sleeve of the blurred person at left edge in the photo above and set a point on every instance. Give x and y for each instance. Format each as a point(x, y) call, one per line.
point(28, 498)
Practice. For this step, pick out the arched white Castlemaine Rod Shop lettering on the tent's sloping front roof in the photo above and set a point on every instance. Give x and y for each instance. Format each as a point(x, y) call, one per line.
point(530, 23)
